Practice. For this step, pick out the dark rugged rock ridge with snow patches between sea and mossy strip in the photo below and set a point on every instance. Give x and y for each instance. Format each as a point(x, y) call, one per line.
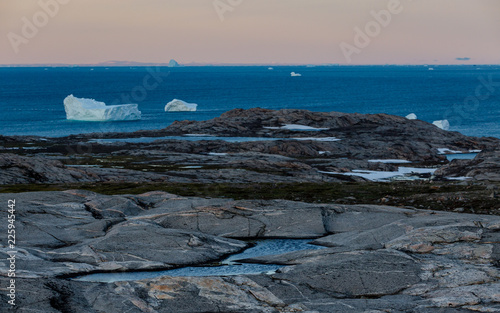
point(342, 144)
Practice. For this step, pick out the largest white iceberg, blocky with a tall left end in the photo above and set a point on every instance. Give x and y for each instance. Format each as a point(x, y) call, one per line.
point(81, 109)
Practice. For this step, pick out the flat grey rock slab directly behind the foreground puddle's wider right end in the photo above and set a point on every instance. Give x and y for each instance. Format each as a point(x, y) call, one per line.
point(242, 219)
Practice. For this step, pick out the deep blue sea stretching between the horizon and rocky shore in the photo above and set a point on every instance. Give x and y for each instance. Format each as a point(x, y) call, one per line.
point(31, 99)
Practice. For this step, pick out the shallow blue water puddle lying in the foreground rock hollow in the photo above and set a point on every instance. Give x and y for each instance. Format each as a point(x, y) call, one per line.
point(228, 266)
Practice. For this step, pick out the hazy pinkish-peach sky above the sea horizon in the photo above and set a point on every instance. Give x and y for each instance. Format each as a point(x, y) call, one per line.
point(250, 31)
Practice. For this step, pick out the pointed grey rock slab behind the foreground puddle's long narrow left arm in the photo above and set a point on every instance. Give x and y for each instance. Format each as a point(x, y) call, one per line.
point(139, 245)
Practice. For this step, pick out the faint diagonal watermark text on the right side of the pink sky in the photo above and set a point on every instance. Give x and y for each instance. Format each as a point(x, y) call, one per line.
point(363, 37)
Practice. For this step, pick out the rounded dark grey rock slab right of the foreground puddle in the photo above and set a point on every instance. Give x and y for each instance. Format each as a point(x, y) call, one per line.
point(356, 274)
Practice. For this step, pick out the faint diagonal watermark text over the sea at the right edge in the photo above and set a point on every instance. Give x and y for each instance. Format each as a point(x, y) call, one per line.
point(484, 91)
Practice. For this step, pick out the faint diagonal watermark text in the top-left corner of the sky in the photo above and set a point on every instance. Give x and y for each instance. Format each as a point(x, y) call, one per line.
point(31, 26)
